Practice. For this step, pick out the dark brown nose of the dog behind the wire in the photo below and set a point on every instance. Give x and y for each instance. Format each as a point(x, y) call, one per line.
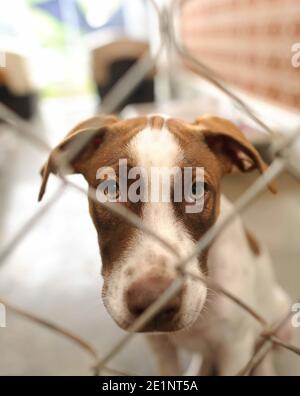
point(145, 291)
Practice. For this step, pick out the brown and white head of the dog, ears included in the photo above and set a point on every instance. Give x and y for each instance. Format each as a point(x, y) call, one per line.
point(136, 269)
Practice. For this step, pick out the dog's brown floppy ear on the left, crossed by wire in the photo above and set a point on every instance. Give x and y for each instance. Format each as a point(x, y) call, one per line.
point(73, 151)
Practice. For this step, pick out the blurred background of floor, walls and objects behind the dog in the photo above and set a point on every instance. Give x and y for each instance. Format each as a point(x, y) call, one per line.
point(58, 61)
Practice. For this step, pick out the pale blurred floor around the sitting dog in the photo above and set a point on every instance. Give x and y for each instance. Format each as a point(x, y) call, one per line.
point(55, 271)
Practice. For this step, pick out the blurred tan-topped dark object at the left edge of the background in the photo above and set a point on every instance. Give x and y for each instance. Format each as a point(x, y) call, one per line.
point(16, 90)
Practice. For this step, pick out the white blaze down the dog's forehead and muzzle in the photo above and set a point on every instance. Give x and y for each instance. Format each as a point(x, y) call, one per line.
point(159, 148)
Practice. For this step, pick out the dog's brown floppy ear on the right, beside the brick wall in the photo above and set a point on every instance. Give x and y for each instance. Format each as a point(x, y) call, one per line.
point(235, 150)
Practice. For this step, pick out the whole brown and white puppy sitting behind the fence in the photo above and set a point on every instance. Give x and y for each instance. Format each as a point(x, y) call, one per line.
point(136, 270)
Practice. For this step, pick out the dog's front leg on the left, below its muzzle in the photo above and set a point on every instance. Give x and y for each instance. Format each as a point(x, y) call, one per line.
point(165, 354)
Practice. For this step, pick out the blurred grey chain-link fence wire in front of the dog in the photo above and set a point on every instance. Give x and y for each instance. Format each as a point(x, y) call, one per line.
point(167, 16)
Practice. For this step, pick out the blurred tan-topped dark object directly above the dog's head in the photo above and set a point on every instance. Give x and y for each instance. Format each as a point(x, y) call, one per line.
point(111, 61)
